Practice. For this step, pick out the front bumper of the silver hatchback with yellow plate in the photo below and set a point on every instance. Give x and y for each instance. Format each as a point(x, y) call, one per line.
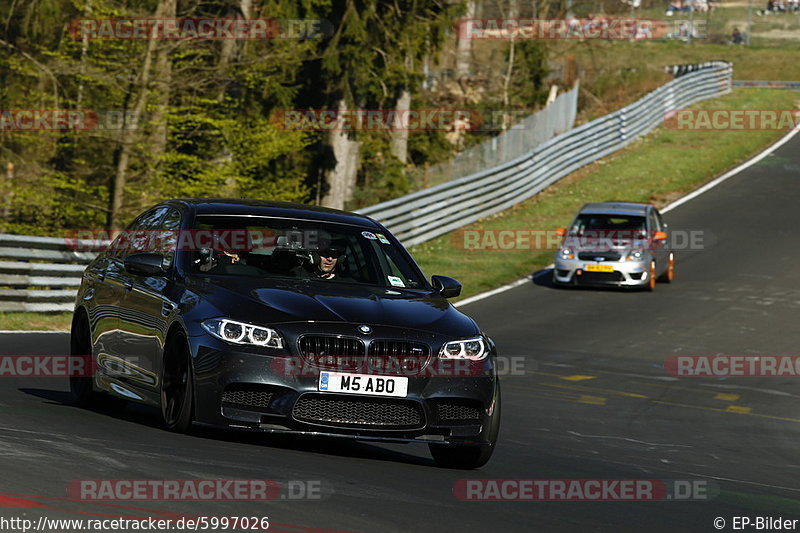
point(622, 274)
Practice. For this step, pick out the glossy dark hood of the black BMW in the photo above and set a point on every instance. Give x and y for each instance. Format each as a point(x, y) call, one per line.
point(279, 301)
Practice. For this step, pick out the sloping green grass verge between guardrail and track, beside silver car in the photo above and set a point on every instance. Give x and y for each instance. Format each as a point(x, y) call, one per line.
point(658, 168)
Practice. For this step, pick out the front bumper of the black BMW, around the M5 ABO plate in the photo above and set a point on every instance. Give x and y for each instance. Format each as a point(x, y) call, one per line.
point(250, 388)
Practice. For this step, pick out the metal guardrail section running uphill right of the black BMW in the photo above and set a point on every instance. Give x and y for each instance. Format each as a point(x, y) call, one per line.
point(423, 215)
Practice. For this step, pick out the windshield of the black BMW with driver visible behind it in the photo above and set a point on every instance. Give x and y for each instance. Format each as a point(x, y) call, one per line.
point(278, 248)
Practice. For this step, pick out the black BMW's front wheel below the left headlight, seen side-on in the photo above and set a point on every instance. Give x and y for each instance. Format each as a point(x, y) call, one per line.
point(177, 386)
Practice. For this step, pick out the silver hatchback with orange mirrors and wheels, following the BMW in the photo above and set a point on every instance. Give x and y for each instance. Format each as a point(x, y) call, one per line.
point(615, 244)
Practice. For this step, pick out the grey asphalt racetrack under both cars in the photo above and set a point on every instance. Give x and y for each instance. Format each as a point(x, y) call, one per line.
point(593, 402)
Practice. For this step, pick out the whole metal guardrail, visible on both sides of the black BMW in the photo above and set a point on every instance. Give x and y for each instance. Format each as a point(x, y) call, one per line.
point(42, 273)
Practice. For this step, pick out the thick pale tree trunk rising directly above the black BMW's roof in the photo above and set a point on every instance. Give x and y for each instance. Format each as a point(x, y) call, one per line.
point(341, 179)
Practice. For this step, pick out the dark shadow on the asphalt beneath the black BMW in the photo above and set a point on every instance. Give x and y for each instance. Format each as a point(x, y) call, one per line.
point(144, 415)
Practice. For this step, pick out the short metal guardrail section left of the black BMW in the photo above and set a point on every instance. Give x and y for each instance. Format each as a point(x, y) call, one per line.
point(39, 273)
